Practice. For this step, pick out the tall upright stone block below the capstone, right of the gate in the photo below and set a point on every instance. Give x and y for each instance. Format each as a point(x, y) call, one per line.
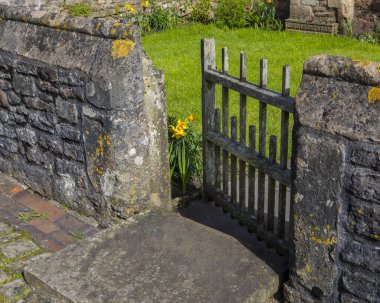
point(317, 188)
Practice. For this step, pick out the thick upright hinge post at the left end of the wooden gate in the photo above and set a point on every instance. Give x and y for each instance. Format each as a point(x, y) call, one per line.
point(208, 107)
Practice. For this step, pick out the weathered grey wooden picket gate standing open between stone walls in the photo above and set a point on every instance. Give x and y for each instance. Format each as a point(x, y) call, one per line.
point(227, 159)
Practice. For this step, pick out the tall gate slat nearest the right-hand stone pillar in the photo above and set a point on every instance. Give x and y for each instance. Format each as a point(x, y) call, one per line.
point(283, 153)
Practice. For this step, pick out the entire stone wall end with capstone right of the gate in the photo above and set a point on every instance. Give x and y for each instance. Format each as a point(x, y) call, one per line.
point(335, 255)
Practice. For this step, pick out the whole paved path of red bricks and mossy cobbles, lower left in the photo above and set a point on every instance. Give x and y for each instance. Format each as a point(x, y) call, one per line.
point(31, 225)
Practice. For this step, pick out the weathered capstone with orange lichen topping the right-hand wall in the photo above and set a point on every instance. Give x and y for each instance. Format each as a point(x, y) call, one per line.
point(331, 101)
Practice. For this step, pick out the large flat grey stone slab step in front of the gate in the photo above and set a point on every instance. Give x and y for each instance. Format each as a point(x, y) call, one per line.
point(159, 257)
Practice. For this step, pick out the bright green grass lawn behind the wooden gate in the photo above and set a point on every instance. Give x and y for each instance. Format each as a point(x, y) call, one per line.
point(177, 53)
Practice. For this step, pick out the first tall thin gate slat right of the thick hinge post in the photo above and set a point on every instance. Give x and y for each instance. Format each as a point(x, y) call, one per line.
point(225, 120)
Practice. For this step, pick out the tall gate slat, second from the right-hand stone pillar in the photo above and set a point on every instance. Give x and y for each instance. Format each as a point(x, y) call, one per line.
point(262, 141)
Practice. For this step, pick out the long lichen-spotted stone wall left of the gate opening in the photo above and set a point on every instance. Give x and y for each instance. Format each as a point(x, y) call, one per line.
point(82, 113)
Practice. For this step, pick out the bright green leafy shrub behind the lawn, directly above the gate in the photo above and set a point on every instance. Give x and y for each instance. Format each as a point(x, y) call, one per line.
point(231, 13)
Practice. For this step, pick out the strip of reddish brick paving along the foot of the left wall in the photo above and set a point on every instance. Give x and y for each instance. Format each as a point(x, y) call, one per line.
point(53, 233)
